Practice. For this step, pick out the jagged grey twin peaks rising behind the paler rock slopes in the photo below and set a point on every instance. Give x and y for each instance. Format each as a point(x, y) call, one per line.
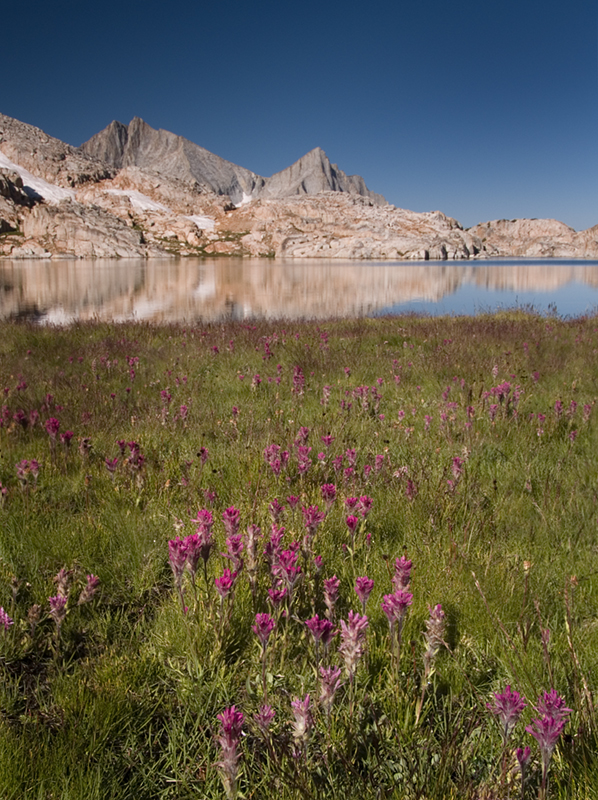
point(140, 145)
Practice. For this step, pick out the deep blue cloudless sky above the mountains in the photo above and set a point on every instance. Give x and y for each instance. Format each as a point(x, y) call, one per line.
point(484, 109)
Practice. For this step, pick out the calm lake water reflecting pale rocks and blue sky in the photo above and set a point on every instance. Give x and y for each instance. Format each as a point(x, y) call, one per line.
point(189, 290)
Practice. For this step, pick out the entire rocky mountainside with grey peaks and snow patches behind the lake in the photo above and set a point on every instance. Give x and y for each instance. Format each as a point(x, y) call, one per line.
point(132, 191)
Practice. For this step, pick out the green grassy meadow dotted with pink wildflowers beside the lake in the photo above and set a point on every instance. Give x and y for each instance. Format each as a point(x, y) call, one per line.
point(466, 446)
